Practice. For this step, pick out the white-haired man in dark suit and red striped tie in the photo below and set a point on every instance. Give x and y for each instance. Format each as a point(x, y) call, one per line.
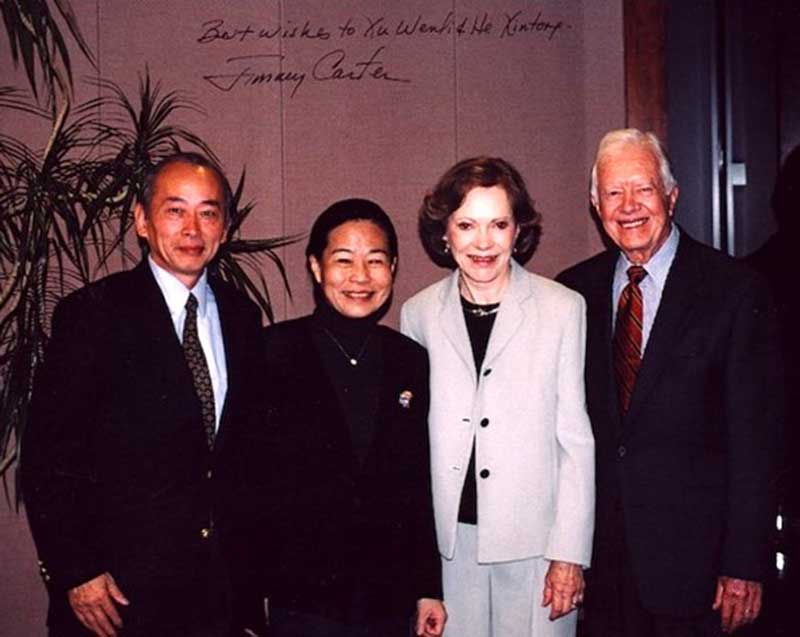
point(681, 358)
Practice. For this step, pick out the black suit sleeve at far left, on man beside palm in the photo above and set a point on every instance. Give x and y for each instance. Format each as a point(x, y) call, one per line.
point(57, 474)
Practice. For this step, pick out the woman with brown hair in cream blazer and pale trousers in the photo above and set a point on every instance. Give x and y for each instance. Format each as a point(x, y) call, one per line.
point(512, 453)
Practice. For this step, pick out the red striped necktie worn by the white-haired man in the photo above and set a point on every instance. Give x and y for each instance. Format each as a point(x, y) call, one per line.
point(628, 336)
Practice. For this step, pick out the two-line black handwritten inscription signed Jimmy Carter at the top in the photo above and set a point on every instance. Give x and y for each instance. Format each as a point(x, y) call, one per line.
point(249, 71)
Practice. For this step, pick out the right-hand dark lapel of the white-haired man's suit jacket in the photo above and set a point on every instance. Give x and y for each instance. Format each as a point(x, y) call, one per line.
point(674, 312)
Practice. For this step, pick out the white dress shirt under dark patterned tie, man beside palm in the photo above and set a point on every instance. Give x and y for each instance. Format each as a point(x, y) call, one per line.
point(208, 326)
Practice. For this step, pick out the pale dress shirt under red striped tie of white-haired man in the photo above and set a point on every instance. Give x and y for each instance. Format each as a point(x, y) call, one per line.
point(652, 286)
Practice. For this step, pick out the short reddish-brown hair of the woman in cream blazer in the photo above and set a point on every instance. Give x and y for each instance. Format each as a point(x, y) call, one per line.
point(449, 193)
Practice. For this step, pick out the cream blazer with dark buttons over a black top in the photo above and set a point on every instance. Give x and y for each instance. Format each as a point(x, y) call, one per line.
point(526, 411)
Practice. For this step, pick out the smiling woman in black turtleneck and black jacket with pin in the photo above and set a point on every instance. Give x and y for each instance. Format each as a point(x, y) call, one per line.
point(354, 549)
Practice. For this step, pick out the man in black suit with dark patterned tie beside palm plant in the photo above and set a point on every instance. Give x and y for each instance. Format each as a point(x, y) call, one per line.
point(131, 498)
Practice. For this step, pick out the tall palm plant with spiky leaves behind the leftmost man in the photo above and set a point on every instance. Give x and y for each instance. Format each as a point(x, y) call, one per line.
point(65, 212)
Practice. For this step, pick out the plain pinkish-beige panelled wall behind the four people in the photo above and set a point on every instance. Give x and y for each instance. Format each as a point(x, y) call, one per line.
point(539, 98)
